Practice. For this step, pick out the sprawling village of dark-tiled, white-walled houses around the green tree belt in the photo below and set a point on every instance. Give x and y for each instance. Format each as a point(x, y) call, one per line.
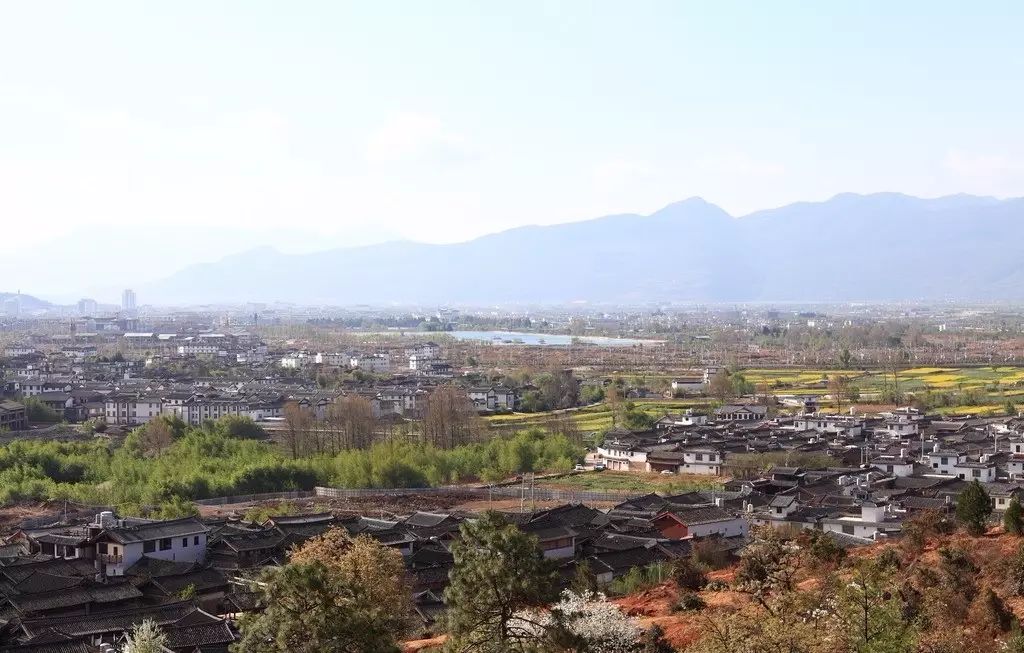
point(713, 461)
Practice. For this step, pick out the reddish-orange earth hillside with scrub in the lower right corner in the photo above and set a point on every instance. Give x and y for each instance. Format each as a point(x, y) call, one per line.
point(928, 583)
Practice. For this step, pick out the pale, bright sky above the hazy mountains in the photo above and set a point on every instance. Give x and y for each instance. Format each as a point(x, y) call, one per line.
point(138, 138)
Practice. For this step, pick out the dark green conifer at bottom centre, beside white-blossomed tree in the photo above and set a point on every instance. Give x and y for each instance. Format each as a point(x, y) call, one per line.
point(499, 573)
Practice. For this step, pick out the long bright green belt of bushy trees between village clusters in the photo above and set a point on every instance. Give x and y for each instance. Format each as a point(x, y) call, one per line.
point(164, 470)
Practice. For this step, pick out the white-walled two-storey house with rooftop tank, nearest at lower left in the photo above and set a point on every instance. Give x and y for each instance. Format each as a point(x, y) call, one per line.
point(119, 547)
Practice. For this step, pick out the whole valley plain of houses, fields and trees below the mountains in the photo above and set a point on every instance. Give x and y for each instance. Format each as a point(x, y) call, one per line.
point(156, 461)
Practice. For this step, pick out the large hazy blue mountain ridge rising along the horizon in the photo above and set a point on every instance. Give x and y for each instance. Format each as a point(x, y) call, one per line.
point(883, 247)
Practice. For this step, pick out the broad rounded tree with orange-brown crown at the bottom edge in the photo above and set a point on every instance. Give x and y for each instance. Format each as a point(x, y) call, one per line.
point(309, 610)
